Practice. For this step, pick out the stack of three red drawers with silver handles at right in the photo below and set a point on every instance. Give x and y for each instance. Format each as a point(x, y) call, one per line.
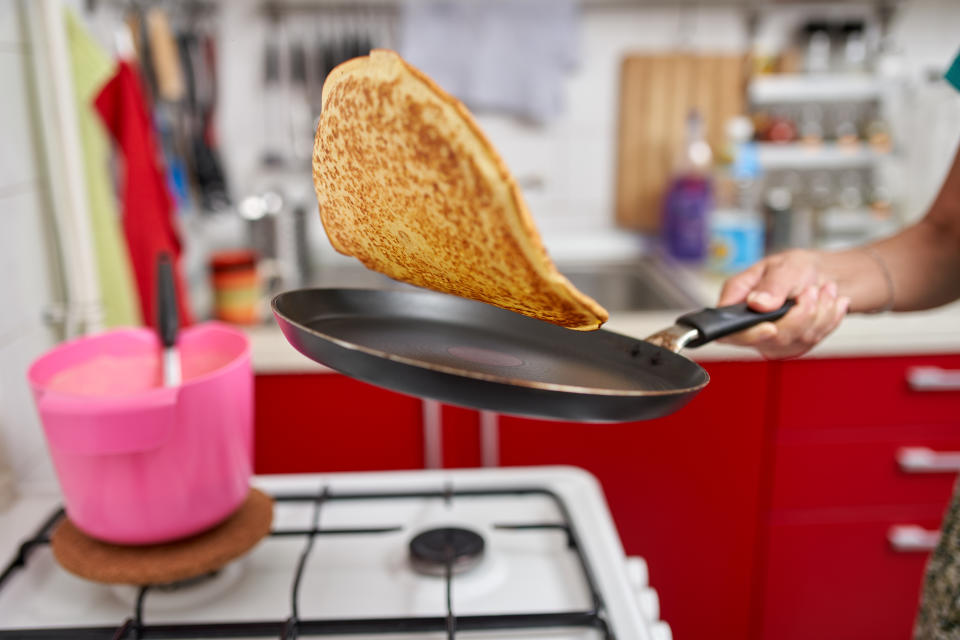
point(838, 487)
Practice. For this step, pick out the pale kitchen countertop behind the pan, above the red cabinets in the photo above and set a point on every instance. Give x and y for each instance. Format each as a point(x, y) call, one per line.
point(936, 331)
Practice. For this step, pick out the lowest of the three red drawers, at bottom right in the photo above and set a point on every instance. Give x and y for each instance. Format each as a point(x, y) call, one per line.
point(842, 580)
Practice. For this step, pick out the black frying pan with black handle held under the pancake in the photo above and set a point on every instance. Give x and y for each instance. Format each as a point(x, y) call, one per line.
point(475, 355)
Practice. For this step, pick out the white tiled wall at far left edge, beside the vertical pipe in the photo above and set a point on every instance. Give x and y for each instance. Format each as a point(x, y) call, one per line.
point(25, 283)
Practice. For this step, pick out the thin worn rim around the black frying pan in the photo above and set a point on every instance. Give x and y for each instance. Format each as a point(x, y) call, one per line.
point(476, 375)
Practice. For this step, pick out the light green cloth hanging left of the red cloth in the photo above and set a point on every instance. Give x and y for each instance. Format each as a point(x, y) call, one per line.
point(91, 67)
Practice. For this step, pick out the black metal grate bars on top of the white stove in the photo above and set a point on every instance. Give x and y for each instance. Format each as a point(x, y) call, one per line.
point(134, 627)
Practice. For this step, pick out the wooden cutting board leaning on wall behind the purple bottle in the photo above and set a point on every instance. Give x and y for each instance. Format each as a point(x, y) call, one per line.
point(656, 94)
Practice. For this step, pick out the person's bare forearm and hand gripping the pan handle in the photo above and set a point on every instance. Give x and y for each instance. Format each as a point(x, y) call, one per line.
point(923, 261)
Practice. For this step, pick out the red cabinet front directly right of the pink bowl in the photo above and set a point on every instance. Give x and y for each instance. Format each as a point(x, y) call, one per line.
point(328, 422)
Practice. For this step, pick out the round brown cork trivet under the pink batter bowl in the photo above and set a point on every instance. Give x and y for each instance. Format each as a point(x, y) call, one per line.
point(168, 562)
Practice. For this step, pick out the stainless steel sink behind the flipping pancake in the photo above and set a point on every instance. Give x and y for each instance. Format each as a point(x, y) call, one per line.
point(645, 284)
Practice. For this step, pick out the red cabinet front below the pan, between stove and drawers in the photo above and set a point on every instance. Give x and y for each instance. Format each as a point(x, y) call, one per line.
point(683, 491)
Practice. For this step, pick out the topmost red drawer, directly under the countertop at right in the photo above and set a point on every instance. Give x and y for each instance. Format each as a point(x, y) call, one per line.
point(868, 392)
